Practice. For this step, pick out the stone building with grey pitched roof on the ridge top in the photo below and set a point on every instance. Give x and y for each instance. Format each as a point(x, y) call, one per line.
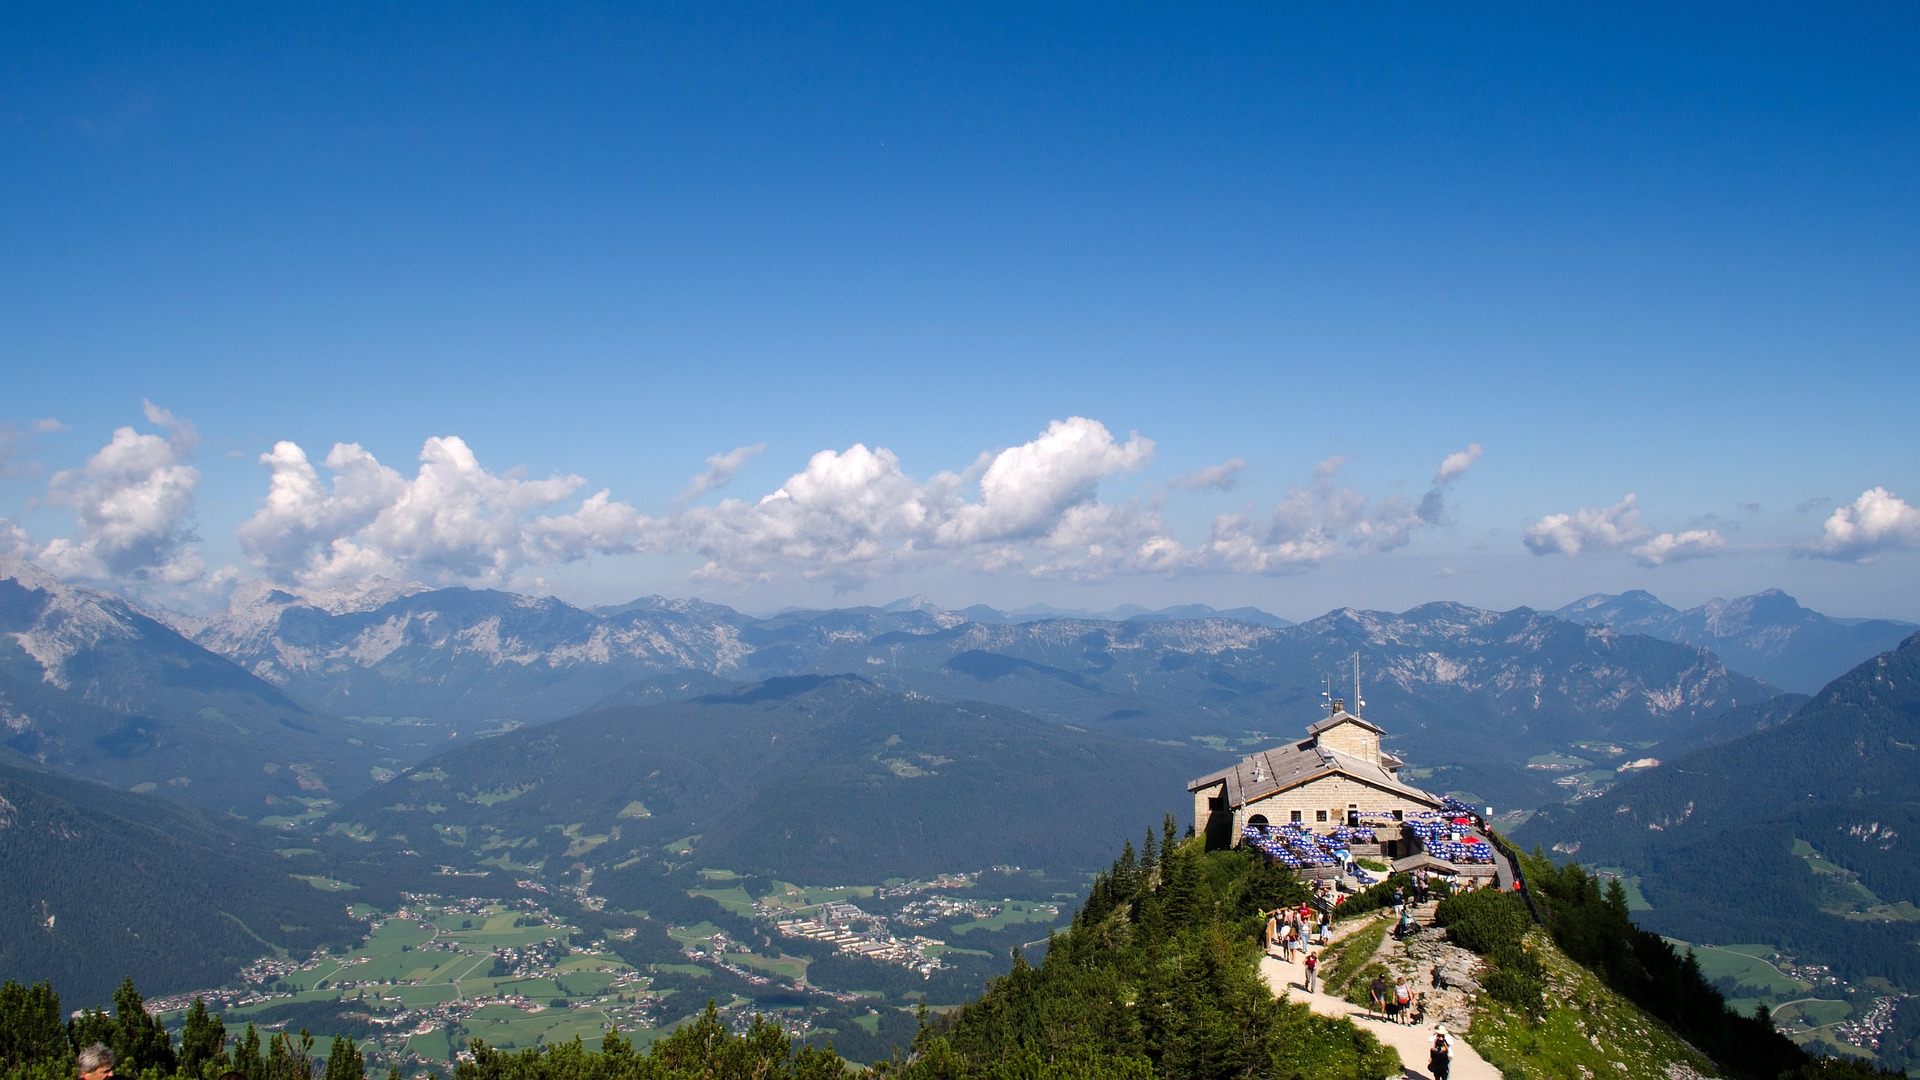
point(1335, 777)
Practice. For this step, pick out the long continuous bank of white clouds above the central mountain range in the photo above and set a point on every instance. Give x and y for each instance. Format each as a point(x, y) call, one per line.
point(848, 518)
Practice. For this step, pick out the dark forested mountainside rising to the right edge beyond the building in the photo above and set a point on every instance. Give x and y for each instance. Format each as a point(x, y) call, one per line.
point(1800, 835)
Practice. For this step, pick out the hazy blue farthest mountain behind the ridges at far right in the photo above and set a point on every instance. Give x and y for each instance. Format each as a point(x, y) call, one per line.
point(1767, 635)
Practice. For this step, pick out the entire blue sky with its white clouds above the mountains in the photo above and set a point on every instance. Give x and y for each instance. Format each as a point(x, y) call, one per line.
point(1120, 305)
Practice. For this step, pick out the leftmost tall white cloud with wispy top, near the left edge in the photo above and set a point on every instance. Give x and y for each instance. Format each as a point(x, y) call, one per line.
point(133, 506)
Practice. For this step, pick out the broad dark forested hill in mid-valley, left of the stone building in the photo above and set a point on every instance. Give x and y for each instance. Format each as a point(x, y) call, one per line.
point(813, 779)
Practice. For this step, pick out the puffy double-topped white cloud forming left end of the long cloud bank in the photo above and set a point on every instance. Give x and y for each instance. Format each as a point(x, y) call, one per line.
point(452, 522)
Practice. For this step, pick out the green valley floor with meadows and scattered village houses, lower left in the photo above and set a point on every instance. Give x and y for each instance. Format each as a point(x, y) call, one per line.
point(443, 971)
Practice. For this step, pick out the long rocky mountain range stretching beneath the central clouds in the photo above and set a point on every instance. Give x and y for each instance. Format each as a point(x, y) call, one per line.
point(1470, 693)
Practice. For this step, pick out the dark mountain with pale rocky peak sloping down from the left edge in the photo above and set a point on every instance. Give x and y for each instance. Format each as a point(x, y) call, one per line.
point(97, 687)
